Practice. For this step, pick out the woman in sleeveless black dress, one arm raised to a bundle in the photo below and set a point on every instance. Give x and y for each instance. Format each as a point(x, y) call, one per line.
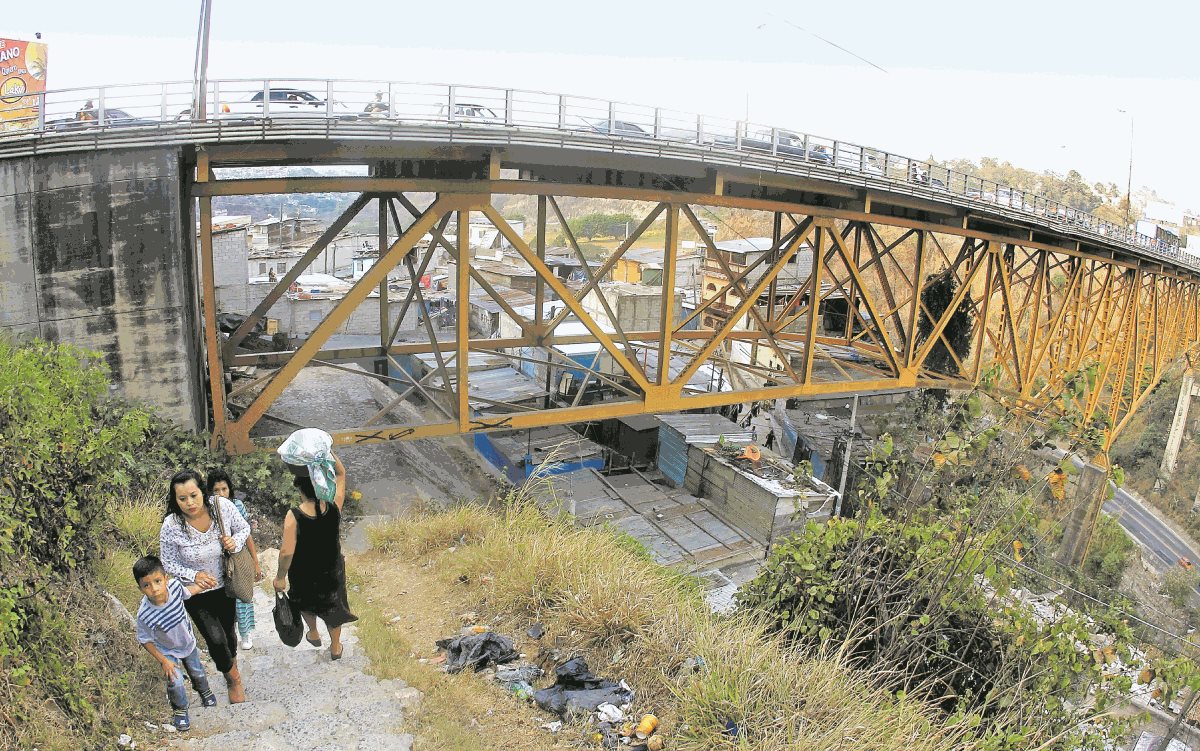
point(311, 561)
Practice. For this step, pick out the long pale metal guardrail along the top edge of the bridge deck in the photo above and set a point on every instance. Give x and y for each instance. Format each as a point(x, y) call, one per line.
point(166, 106)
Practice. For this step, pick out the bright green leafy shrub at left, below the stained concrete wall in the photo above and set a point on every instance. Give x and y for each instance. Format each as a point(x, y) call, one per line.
point(63, 467)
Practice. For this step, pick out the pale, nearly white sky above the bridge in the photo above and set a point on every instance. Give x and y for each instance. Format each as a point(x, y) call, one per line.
point(1041, 85)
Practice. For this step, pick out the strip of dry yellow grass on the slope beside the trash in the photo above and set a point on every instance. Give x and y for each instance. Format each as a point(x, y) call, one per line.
point(638, 621)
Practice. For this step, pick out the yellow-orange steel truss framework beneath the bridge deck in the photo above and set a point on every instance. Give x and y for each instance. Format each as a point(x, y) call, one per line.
point(1036, 314)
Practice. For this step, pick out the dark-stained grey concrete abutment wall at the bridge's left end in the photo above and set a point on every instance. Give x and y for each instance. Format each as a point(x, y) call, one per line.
point(94, 253)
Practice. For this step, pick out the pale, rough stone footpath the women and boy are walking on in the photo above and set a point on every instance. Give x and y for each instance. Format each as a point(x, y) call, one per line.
point(299, 700)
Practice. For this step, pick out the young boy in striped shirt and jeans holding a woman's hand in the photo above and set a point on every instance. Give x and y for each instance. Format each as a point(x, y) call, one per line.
point(166, 633)
